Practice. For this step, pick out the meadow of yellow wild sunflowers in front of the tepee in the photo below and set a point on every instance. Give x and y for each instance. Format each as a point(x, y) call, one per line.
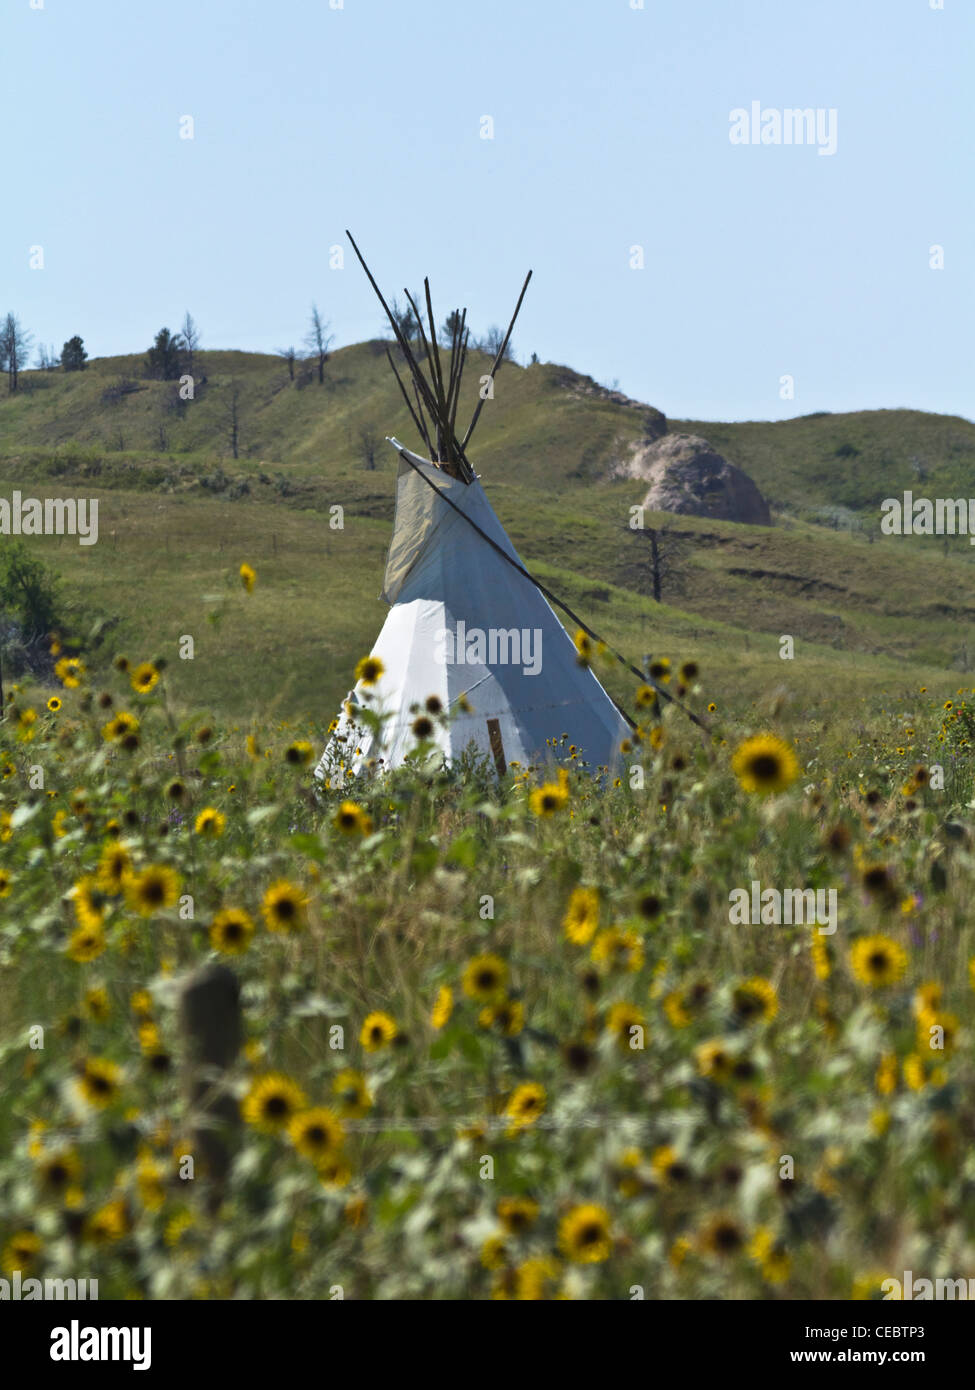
point(483, 1039)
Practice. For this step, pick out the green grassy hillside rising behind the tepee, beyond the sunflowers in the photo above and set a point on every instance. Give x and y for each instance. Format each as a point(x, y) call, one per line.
point(179, 514)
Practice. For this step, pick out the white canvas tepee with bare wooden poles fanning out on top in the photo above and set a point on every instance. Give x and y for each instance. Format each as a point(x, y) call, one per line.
point(471, 653)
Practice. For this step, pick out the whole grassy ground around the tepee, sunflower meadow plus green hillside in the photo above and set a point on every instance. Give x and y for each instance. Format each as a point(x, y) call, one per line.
point(489, 1045)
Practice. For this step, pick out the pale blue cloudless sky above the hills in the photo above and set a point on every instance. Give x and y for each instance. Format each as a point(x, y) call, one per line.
point(611, 131)
